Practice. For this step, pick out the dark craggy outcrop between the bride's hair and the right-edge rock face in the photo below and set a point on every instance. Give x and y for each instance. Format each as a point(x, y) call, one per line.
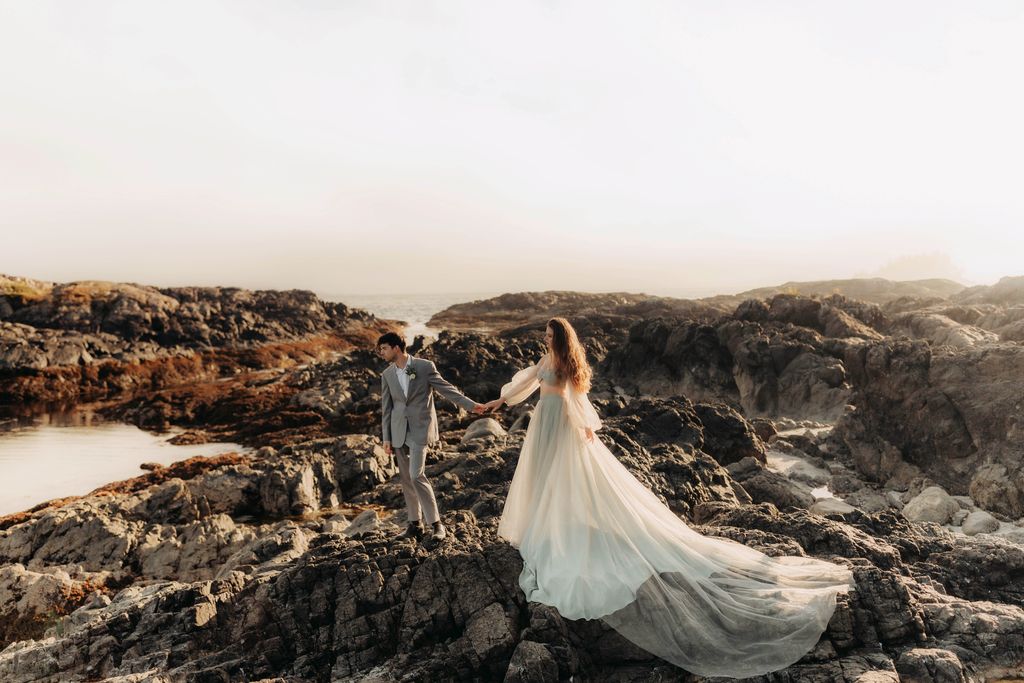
point(769, 360)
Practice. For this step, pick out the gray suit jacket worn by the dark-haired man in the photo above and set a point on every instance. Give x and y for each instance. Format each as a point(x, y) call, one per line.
point(413, 417)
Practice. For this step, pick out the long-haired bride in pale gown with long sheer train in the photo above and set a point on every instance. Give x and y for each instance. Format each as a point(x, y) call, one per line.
point(596, 543)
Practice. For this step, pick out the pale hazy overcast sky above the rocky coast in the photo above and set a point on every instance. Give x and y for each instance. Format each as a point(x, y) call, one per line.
point(678, 148)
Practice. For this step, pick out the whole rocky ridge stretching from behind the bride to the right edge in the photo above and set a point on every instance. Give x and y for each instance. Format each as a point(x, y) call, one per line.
point(914, 394)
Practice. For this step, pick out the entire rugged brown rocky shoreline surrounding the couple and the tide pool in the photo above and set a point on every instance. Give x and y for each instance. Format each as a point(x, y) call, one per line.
point(883, 435)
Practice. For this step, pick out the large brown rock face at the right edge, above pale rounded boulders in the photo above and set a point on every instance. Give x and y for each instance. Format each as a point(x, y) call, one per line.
point(950, 413)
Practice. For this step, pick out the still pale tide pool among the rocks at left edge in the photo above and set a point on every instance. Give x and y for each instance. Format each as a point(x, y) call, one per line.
point(72, 453)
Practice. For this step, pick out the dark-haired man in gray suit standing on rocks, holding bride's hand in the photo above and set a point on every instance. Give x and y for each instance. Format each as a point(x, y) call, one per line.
point(410, 425)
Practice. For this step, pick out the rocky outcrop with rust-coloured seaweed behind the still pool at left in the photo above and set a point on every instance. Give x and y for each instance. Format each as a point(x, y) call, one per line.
point(89, 340)
